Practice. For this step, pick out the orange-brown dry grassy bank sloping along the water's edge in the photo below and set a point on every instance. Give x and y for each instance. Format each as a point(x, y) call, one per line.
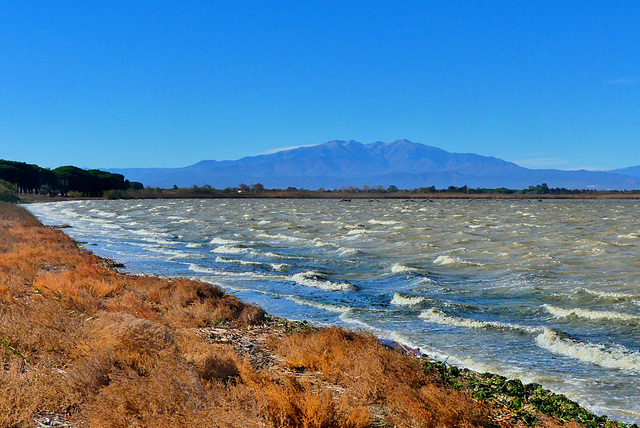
point(84, 345)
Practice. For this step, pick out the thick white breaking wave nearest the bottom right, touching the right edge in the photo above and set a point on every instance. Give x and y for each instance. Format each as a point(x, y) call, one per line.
point(611, 357)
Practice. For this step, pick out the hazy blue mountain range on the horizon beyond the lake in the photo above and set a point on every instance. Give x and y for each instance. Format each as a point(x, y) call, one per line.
point(402, 163)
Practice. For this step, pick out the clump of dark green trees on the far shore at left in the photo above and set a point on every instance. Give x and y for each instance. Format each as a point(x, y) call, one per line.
point(32, 179)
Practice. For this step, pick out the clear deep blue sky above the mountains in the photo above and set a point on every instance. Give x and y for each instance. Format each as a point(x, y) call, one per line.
point(169, 83)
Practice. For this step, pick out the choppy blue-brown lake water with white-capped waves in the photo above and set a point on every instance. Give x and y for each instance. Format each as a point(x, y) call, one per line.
point(548, 291)
